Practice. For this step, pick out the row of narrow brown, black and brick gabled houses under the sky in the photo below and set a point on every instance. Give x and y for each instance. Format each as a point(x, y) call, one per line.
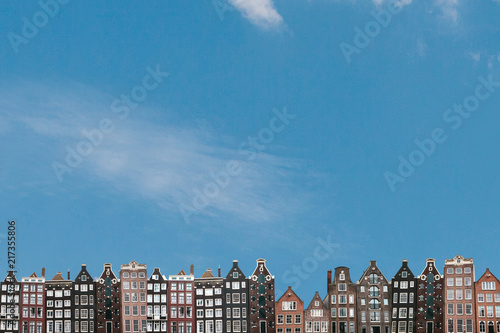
point(133, 301)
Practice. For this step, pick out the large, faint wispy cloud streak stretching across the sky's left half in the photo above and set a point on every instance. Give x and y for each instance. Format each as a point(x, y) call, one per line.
point(145, 160)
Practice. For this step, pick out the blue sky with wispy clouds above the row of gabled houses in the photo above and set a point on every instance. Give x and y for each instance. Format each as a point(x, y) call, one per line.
point(305, 139)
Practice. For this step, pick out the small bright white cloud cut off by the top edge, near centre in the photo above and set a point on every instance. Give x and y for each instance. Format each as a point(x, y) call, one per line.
point(260, 12)
